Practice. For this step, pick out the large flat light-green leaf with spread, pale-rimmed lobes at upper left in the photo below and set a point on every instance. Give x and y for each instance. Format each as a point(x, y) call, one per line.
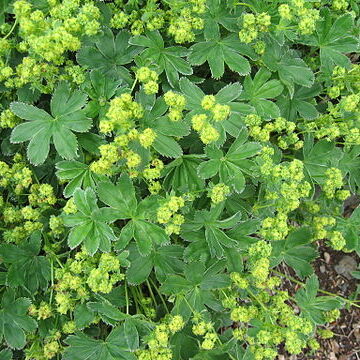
point(67, 116)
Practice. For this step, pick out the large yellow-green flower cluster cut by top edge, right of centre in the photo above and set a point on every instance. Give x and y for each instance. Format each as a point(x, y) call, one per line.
point(300, 13)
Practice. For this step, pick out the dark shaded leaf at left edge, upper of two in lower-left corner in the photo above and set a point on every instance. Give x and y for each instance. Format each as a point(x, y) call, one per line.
point(25, 267)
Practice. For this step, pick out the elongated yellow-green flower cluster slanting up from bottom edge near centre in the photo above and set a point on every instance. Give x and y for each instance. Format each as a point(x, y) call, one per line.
point(158, 342)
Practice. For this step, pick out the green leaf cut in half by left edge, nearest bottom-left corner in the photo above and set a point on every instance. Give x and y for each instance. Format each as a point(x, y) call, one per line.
point(14, 320)
